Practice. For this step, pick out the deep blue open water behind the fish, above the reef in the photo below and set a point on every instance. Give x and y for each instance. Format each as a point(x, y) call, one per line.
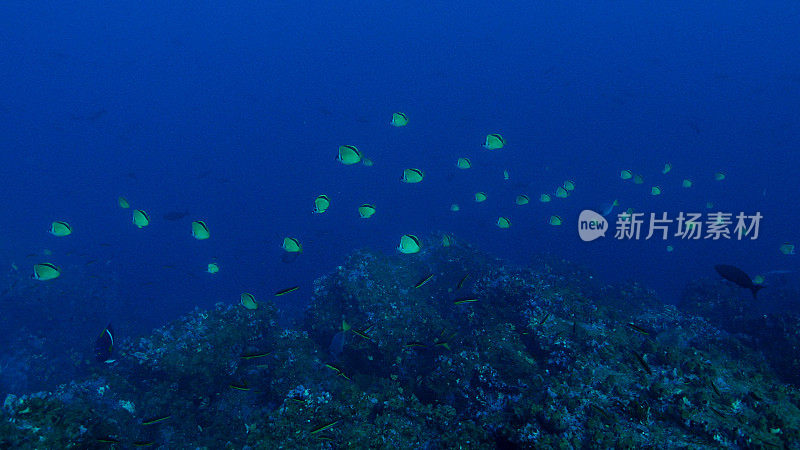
point(234, 113)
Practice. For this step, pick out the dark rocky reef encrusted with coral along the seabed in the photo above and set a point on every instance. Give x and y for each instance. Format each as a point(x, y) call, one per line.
point(447, 348)
